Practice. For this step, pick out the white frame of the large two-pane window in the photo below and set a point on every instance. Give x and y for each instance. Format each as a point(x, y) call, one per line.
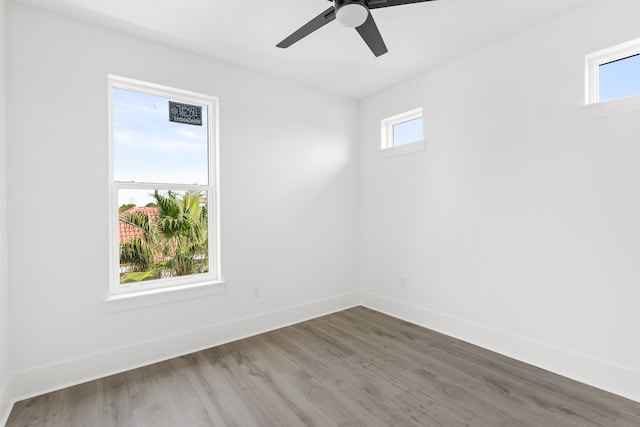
point(118, 290)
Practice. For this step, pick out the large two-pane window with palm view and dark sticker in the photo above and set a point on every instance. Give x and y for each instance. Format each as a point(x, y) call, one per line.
point(164, 209)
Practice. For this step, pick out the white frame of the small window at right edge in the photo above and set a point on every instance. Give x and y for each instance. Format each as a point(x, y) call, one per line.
point(594, 60)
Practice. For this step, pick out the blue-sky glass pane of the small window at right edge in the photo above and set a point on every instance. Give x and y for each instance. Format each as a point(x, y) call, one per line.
point(620, 78)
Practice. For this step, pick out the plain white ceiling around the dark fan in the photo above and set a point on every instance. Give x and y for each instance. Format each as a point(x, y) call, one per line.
point(244, 32)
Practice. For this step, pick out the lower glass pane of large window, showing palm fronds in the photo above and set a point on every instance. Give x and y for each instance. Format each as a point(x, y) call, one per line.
point(162, 234)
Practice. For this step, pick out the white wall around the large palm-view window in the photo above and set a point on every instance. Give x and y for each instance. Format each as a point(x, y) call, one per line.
point(288, 195)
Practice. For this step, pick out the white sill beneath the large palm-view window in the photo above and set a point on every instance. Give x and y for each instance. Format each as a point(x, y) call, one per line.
point(133, 300)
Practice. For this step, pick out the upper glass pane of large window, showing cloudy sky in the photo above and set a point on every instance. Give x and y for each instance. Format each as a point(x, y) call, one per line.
point(147, 147)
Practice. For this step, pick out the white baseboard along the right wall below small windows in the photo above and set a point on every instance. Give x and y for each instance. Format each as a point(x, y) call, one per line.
point(619, 380)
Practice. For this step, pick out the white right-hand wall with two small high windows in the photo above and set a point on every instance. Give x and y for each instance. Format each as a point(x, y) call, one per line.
point(517, 228)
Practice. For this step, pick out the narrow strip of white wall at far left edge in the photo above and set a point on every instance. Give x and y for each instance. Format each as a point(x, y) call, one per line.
point(5, 367)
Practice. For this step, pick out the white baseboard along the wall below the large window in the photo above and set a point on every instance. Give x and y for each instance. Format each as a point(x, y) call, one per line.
point(43, 379)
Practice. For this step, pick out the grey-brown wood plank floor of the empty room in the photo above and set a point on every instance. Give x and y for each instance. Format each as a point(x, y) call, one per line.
point(353, 368)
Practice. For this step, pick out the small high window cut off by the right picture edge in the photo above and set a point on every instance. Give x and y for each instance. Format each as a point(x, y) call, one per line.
point(613, 73)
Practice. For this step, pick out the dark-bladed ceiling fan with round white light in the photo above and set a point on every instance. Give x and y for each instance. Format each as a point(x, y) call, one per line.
point(353, 14)
